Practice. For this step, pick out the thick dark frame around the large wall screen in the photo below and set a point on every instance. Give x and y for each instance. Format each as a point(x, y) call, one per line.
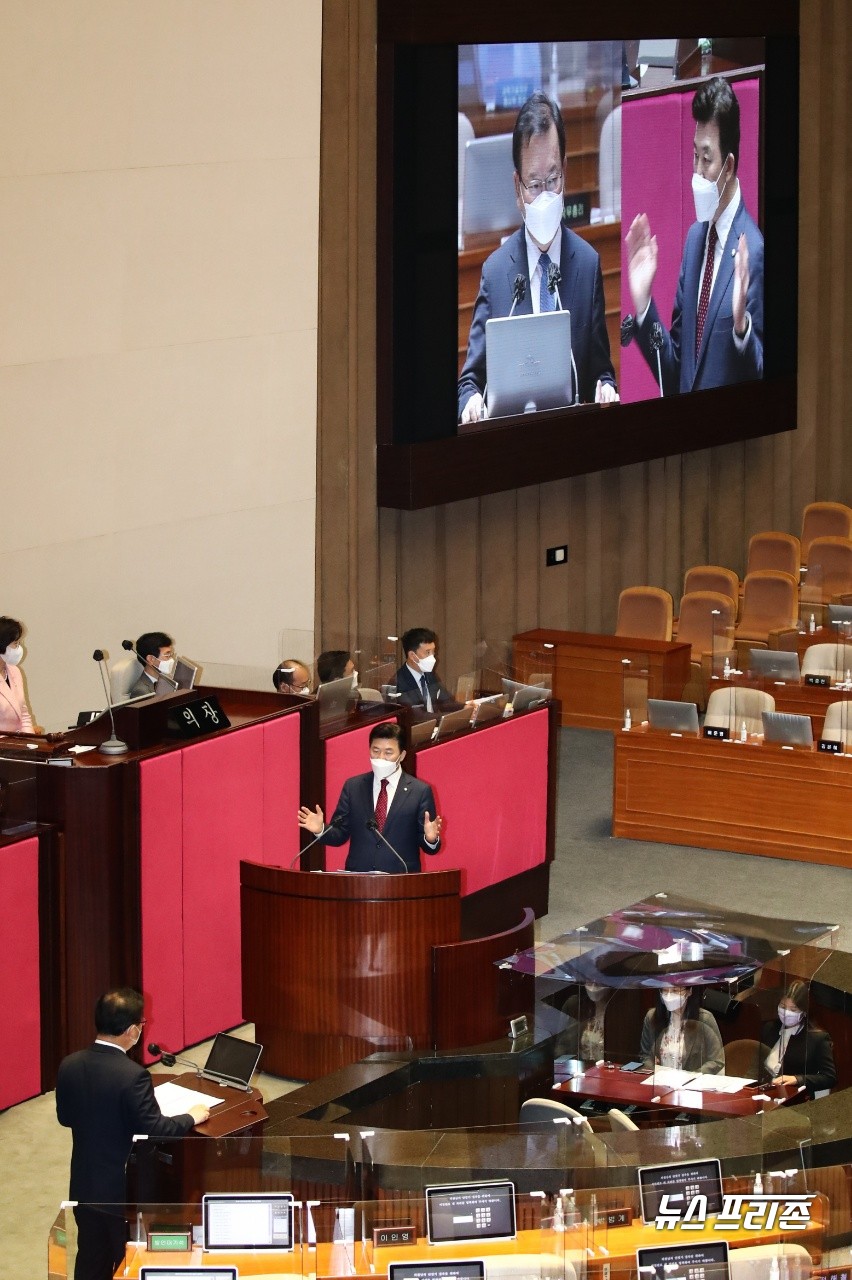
point(414, 474)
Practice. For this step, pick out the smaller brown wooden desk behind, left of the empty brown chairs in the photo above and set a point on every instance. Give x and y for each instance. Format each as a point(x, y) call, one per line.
point(589, 671)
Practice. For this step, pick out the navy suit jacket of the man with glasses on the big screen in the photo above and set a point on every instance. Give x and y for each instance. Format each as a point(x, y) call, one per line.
point(581, 291)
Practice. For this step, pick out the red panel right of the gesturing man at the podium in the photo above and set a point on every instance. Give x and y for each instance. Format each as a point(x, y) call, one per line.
point(492, 789)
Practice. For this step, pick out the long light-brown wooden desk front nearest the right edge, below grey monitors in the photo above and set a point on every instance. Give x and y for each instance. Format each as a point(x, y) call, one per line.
point(748, 798)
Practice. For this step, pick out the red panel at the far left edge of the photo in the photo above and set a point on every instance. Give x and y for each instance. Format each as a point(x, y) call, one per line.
point(20, 973)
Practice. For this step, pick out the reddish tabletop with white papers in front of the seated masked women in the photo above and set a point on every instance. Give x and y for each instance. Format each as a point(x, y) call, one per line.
point(611, 1085)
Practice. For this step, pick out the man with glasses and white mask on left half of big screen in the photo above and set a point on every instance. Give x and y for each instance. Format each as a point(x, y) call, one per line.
point(539, 156)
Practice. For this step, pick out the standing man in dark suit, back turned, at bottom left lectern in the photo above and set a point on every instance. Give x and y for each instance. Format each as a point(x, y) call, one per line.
point(104, 1098)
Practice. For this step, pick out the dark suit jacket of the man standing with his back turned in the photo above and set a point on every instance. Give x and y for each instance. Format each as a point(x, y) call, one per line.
point(104, 1098)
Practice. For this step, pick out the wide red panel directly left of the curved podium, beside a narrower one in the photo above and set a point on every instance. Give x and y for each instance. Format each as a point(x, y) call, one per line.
point(223, 821)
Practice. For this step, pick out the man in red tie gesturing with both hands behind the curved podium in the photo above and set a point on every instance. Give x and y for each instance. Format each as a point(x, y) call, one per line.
point(382, 808)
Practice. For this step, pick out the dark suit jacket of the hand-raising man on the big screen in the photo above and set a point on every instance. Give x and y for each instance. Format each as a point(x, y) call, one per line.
point(720, 362)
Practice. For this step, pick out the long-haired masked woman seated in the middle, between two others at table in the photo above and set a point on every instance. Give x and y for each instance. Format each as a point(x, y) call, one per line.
point(679, 1034)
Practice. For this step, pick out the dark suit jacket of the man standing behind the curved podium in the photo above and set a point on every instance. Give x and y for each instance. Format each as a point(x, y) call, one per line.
point(404, 825)
